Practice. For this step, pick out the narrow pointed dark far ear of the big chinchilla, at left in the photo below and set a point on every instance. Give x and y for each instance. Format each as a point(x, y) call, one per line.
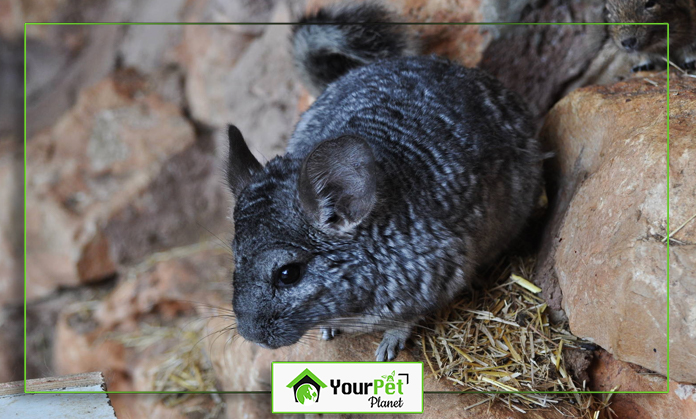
point(240, 164)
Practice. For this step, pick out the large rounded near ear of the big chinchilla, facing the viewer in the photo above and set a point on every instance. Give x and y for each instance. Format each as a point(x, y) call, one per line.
point(337, 184)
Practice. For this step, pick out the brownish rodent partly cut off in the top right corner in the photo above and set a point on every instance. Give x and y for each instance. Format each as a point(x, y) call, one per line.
point(650, 41)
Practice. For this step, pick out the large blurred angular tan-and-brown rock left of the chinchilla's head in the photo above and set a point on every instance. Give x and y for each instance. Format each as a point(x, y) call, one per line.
point(114, 179)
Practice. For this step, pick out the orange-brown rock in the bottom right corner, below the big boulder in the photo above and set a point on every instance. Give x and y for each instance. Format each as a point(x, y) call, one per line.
point(608, 374)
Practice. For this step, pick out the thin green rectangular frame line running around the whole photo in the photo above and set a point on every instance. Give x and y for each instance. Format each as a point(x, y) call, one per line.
point(292, 23)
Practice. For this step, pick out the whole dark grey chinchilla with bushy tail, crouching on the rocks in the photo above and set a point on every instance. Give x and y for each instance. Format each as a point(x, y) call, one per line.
point(404, 176)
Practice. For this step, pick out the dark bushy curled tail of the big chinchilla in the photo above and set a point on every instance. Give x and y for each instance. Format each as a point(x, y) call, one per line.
point(335, 39)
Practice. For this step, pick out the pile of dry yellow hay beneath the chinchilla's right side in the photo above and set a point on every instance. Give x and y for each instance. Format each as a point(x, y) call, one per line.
point(501, 340)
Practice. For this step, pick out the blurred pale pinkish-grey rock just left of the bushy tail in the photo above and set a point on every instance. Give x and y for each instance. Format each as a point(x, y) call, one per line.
point(244, 81)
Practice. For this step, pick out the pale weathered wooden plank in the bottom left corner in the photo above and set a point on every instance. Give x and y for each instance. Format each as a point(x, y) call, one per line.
point(14, 403)
